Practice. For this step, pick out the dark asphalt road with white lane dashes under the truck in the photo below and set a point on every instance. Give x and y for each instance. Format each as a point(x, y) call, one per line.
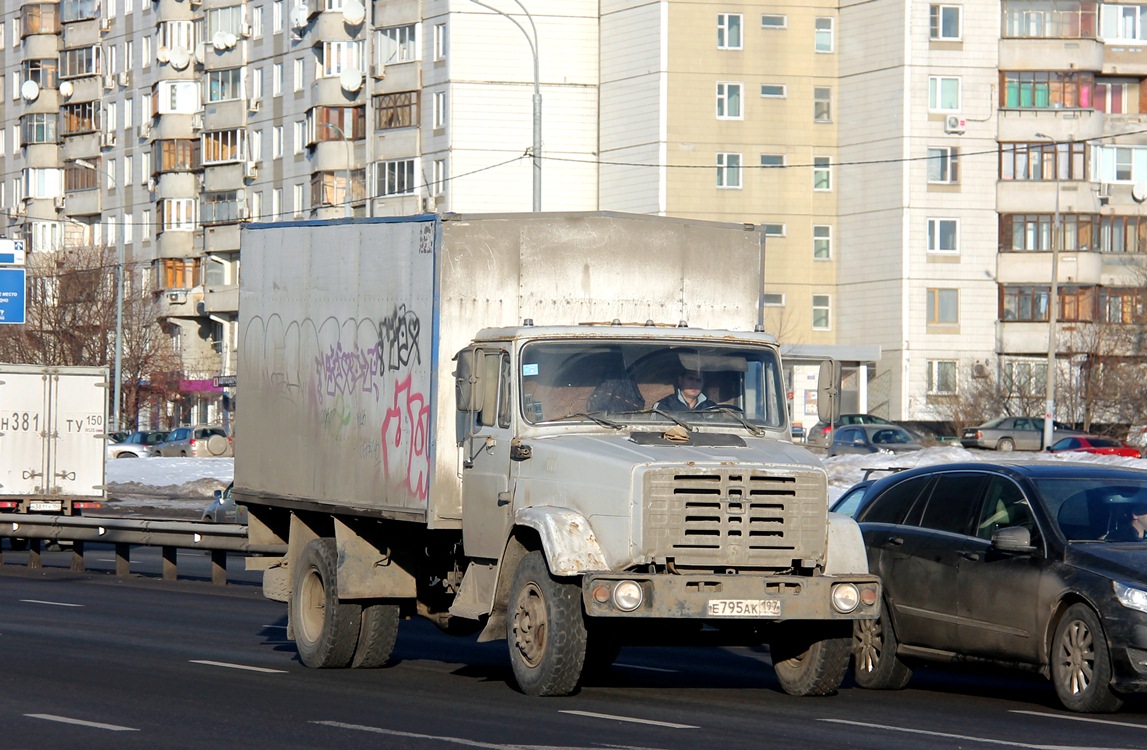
point(93, 661)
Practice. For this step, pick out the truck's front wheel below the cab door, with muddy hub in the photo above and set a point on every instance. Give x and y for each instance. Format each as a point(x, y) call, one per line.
point(545, 630)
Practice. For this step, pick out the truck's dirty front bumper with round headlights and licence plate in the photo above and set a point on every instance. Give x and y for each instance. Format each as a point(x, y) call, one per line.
point(732, 597)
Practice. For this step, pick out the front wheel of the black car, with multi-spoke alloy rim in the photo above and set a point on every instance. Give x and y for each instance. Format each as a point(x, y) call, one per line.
point(1082, 665)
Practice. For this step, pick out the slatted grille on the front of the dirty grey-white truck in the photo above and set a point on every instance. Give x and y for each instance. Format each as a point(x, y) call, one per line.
point(729, 518)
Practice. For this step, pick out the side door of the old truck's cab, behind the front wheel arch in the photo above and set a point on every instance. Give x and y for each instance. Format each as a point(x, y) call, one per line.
point(487, 507)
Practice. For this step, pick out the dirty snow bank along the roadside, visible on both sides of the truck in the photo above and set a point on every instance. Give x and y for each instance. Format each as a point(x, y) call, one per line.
point(198, 479)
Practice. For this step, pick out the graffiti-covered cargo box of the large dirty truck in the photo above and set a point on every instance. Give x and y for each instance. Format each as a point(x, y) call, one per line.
point(350, 330)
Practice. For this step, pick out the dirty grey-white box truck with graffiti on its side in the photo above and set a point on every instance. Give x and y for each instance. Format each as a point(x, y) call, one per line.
point(457, 417)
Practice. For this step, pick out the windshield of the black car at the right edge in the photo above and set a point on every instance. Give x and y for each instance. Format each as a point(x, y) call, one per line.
point(1093, 510)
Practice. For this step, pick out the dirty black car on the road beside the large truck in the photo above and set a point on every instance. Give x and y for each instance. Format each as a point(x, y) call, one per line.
point(1015, 565)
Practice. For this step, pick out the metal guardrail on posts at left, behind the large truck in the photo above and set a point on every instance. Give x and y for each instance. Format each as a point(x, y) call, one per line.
point(170, 536)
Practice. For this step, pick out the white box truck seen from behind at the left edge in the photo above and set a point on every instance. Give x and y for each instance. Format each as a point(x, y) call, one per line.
point(53, 424)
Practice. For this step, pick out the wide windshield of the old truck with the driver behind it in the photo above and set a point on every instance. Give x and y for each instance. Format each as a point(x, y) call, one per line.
point(652, 382)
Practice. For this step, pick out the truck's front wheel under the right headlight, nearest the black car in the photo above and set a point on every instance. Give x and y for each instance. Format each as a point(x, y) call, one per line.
point(812, 659)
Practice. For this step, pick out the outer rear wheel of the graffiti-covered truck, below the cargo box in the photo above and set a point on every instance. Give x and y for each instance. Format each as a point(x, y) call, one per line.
point(326, 630)
